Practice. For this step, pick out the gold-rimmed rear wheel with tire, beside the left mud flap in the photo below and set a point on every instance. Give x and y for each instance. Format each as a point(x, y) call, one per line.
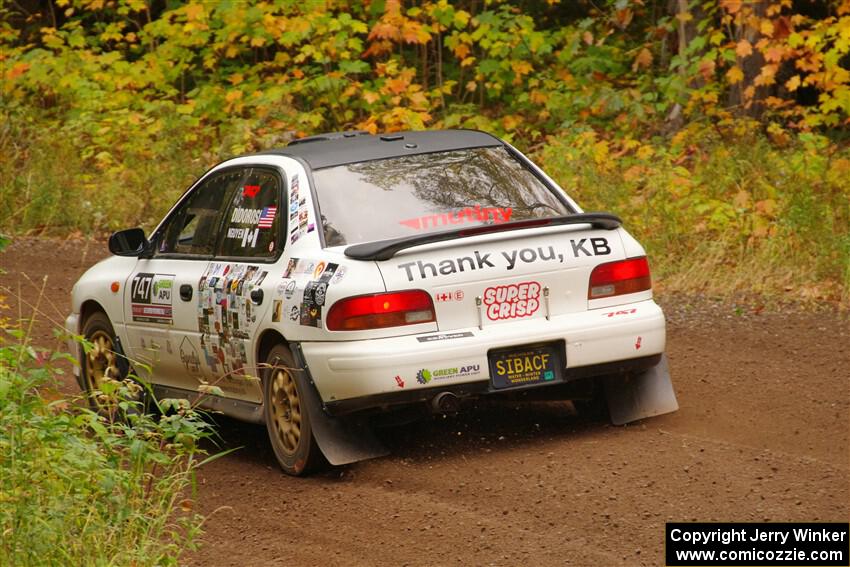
point(287, 415)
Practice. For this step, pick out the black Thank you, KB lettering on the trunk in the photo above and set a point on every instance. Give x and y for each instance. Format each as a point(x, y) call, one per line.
point(578, 248)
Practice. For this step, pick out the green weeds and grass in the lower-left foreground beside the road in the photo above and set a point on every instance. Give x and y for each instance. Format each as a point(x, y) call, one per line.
point(81, 488)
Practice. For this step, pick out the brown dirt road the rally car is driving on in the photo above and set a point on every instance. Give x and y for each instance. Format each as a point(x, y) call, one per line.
point(762, 435)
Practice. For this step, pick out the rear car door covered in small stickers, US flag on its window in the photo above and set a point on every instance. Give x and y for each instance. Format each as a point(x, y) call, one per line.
point(235, 292)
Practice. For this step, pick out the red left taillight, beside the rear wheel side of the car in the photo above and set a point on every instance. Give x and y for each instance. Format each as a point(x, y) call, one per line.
point(381, 310)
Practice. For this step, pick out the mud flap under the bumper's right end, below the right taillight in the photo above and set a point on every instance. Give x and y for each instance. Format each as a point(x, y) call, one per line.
point(639, 395)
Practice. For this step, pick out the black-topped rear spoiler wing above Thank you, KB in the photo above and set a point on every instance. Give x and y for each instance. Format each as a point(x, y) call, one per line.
point(386, 249)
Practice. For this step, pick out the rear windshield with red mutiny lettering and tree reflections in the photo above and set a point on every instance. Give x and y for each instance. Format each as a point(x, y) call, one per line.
point(416, 194)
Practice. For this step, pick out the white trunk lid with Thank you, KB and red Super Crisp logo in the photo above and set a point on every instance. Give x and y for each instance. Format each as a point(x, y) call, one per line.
point(496, 279)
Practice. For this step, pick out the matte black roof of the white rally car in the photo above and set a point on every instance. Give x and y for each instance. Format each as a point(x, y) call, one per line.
point(340, 148)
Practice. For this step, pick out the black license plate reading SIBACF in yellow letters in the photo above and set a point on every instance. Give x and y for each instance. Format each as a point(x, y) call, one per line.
point(525, 366)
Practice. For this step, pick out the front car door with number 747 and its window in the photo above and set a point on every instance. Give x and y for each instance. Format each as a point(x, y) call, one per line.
point(162, 293)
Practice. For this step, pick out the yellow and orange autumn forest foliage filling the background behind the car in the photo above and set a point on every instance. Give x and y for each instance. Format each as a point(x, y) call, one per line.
point(110, 108)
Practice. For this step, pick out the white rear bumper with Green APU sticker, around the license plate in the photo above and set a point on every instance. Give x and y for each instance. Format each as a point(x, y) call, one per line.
point(352, 375)
